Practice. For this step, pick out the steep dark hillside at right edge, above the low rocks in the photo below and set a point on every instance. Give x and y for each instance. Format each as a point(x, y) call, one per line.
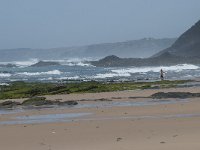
point(187, 45)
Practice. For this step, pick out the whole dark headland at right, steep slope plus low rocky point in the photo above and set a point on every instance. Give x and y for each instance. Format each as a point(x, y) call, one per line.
point(186, 49)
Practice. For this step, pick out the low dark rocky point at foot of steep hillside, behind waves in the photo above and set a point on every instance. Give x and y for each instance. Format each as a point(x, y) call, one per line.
point(164, 59)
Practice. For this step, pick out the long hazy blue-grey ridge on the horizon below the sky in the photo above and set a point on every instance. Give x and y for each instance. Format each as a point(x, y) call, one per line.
point(134, 48)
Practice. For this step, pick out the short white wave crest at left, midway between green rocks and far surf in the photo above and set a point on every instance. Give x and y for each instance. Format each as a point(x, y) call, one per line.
point(53, 72)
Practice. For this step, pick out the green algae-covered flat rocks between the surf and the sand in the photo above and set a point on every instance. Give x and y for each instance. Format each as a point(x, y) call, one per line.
point(27, 89)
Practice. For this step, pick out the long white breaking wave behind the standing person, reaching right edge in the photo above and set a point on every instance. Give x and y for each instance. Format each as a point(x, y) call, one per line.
point(176, 68)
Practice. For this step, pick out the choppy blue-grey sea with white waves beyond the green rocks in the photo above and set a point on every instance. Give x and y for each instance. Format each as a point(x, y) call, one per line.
point(78, 70)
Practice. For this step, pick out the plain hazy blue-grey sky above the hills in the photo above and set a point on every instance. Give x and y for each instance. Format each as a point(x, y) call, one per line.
point(58, 23)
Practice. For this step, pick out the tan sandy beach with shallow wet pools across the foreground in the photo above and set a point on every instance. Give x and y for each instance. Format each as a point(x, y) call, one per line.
point(125, 123)
